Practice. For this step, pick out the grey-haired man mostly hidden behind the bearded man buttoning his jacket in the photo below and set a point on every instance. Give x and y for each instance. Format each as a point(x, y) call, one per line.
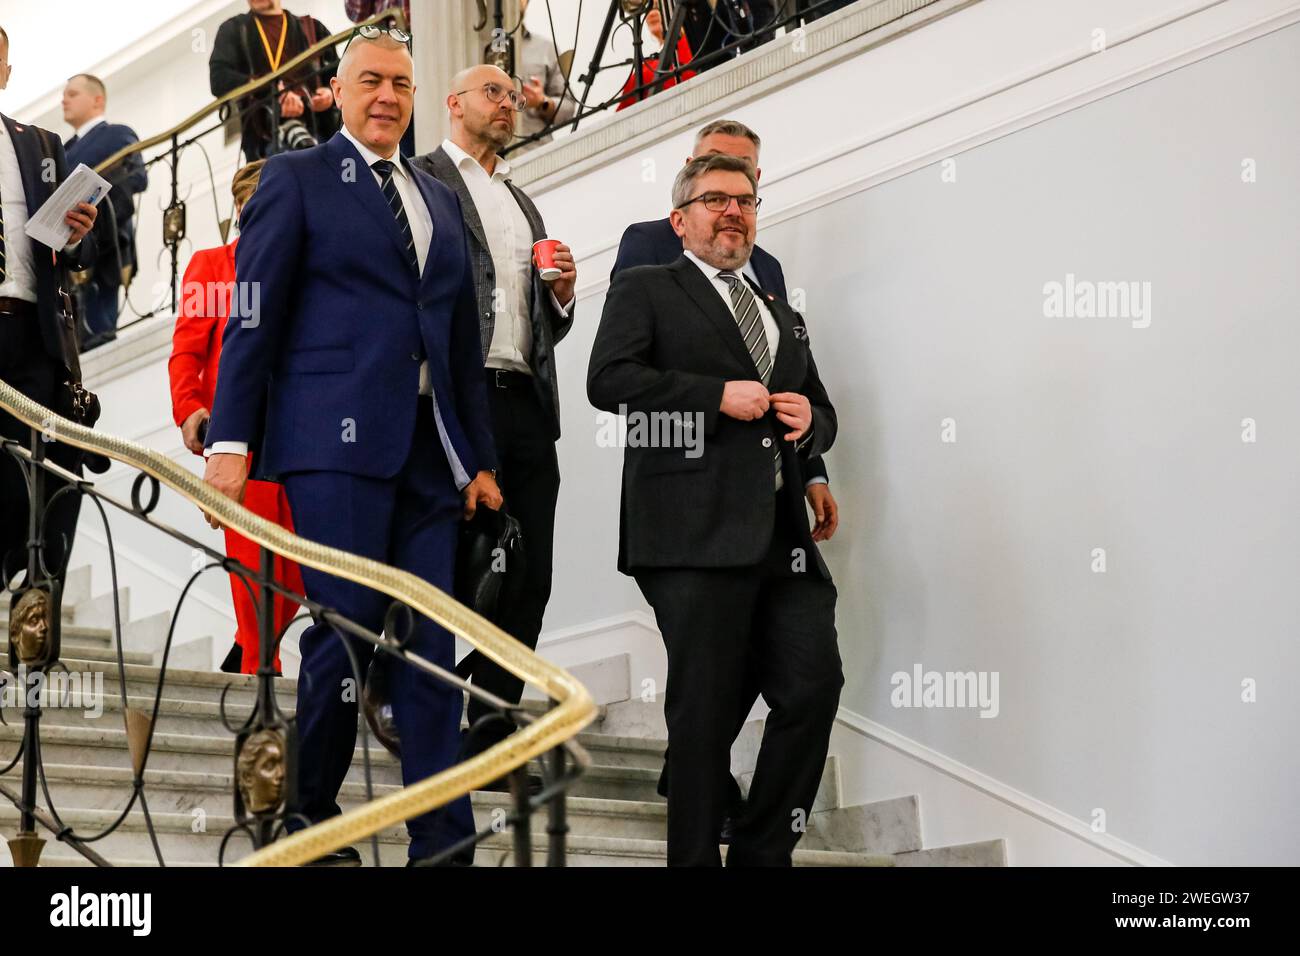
point(657, 244)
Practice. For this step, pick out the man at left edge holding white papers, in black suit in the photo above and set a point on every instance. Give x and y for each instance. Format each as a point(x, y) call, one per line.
point(32, 339)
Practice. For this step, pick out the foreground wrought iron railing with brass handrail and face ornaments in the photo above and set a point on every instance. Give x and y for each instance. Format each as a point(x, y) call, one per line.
point(549, 737)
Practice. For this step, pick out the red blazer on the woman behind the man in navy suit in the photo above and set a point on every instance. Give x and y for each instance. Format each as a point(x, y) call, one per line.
point(197, 340)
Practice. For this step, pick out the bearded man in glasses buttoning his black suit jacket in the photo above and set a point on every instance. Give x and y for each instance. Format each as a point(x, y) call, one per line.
point(714, 531)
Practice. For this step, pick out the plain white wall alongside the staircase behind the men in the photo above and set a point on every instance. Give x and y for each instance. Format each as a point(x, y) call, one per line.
point(1121, 690)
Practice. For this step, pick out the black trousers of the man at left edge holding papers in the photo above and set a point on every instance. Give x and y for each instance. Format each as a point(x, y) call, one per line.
point(27, 367)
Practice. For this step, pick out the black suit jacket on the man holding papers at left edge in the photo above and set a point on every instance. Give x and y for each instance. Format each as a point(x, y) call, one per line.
point(49, 265)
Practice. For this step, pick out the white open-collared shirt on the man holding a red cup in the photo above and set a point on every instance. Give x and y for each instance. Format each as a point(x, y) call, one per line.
point(510, 243)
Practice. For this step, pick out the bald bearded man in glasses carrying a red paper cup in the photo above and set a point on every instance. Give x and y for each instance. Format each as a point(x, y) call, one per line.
point(521, 321)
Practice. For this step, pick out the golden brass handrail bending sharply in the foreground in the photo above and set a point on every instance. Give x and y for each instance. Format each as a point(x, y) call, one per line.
point(575, 707)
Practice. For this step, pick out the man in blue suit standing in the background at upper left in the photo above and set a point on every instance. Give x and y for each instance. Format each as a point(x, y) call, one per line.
point(94, 141)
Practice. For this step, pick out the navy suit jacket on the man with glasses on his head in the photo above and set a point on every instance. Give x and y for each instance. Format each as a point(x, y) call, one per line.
point(320, 360)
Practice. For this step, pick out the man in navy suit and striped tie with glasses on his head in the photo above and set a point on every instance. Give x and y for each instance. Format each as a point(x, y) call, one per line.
point(352, 367)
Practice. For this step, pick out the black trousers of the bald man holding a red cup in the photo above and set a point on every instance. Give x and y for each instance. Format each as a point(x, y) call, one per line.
point(528, 474)
